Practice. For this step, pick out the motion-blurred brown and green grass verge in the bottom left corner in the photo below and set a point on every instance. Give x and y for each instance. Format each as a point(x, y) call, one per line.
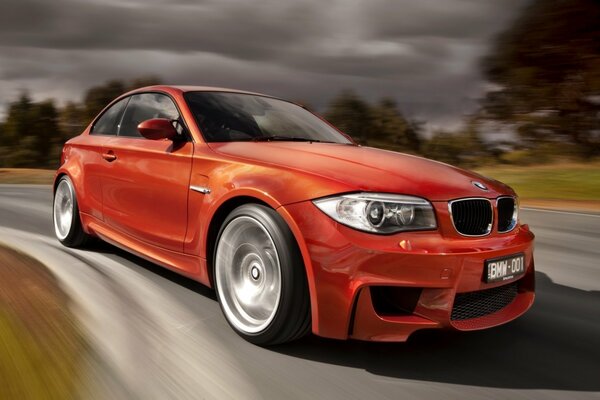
point(41, 347)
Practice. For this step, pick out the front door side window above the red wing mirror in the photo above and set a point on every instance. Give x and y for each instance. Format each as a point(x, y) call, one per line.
point(146, 106)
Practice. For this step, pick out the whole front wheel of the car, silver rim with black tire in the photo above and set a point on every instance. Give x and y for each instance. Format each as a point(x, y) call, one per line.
point(260, 278)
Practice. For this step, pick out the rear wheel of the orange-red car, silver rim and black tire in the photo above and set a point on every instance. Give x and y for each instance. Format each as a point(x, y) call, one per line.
point(67, 223)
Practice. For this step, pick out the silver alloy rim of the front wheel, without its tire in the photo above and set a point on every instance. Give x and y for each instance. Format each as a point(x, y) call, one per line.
point(248, 274)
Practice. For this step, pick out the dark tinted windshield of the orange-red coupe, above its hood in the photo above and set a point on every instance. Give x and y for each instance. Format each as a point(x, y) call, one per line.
point(235, 117)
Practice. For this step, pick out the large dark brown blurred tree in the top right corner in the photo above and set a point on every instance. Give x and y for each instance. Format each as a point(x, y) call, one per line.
point(547, 68)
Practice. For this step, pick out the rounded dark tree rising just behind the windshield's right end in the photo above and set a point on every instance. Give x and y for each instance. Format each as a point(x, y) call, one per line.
point(352, 115)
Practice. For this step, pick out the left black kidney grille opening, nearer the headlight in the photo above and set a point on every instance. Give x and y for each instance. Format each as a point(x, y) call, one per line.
point(472, 217)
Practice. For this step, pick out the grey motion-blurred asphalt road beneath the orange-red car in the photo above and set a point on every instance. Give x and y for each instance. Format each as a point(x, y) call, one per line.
point(155, 335)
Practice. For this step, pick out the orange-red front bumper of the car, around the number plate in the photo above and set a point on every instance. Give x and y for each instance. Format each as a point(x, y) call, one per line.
point(346, 267)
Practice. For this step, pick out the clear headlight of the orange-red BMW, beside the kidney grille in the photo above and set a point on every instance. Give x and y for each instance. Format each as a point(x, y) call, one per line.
point(379, 212)
